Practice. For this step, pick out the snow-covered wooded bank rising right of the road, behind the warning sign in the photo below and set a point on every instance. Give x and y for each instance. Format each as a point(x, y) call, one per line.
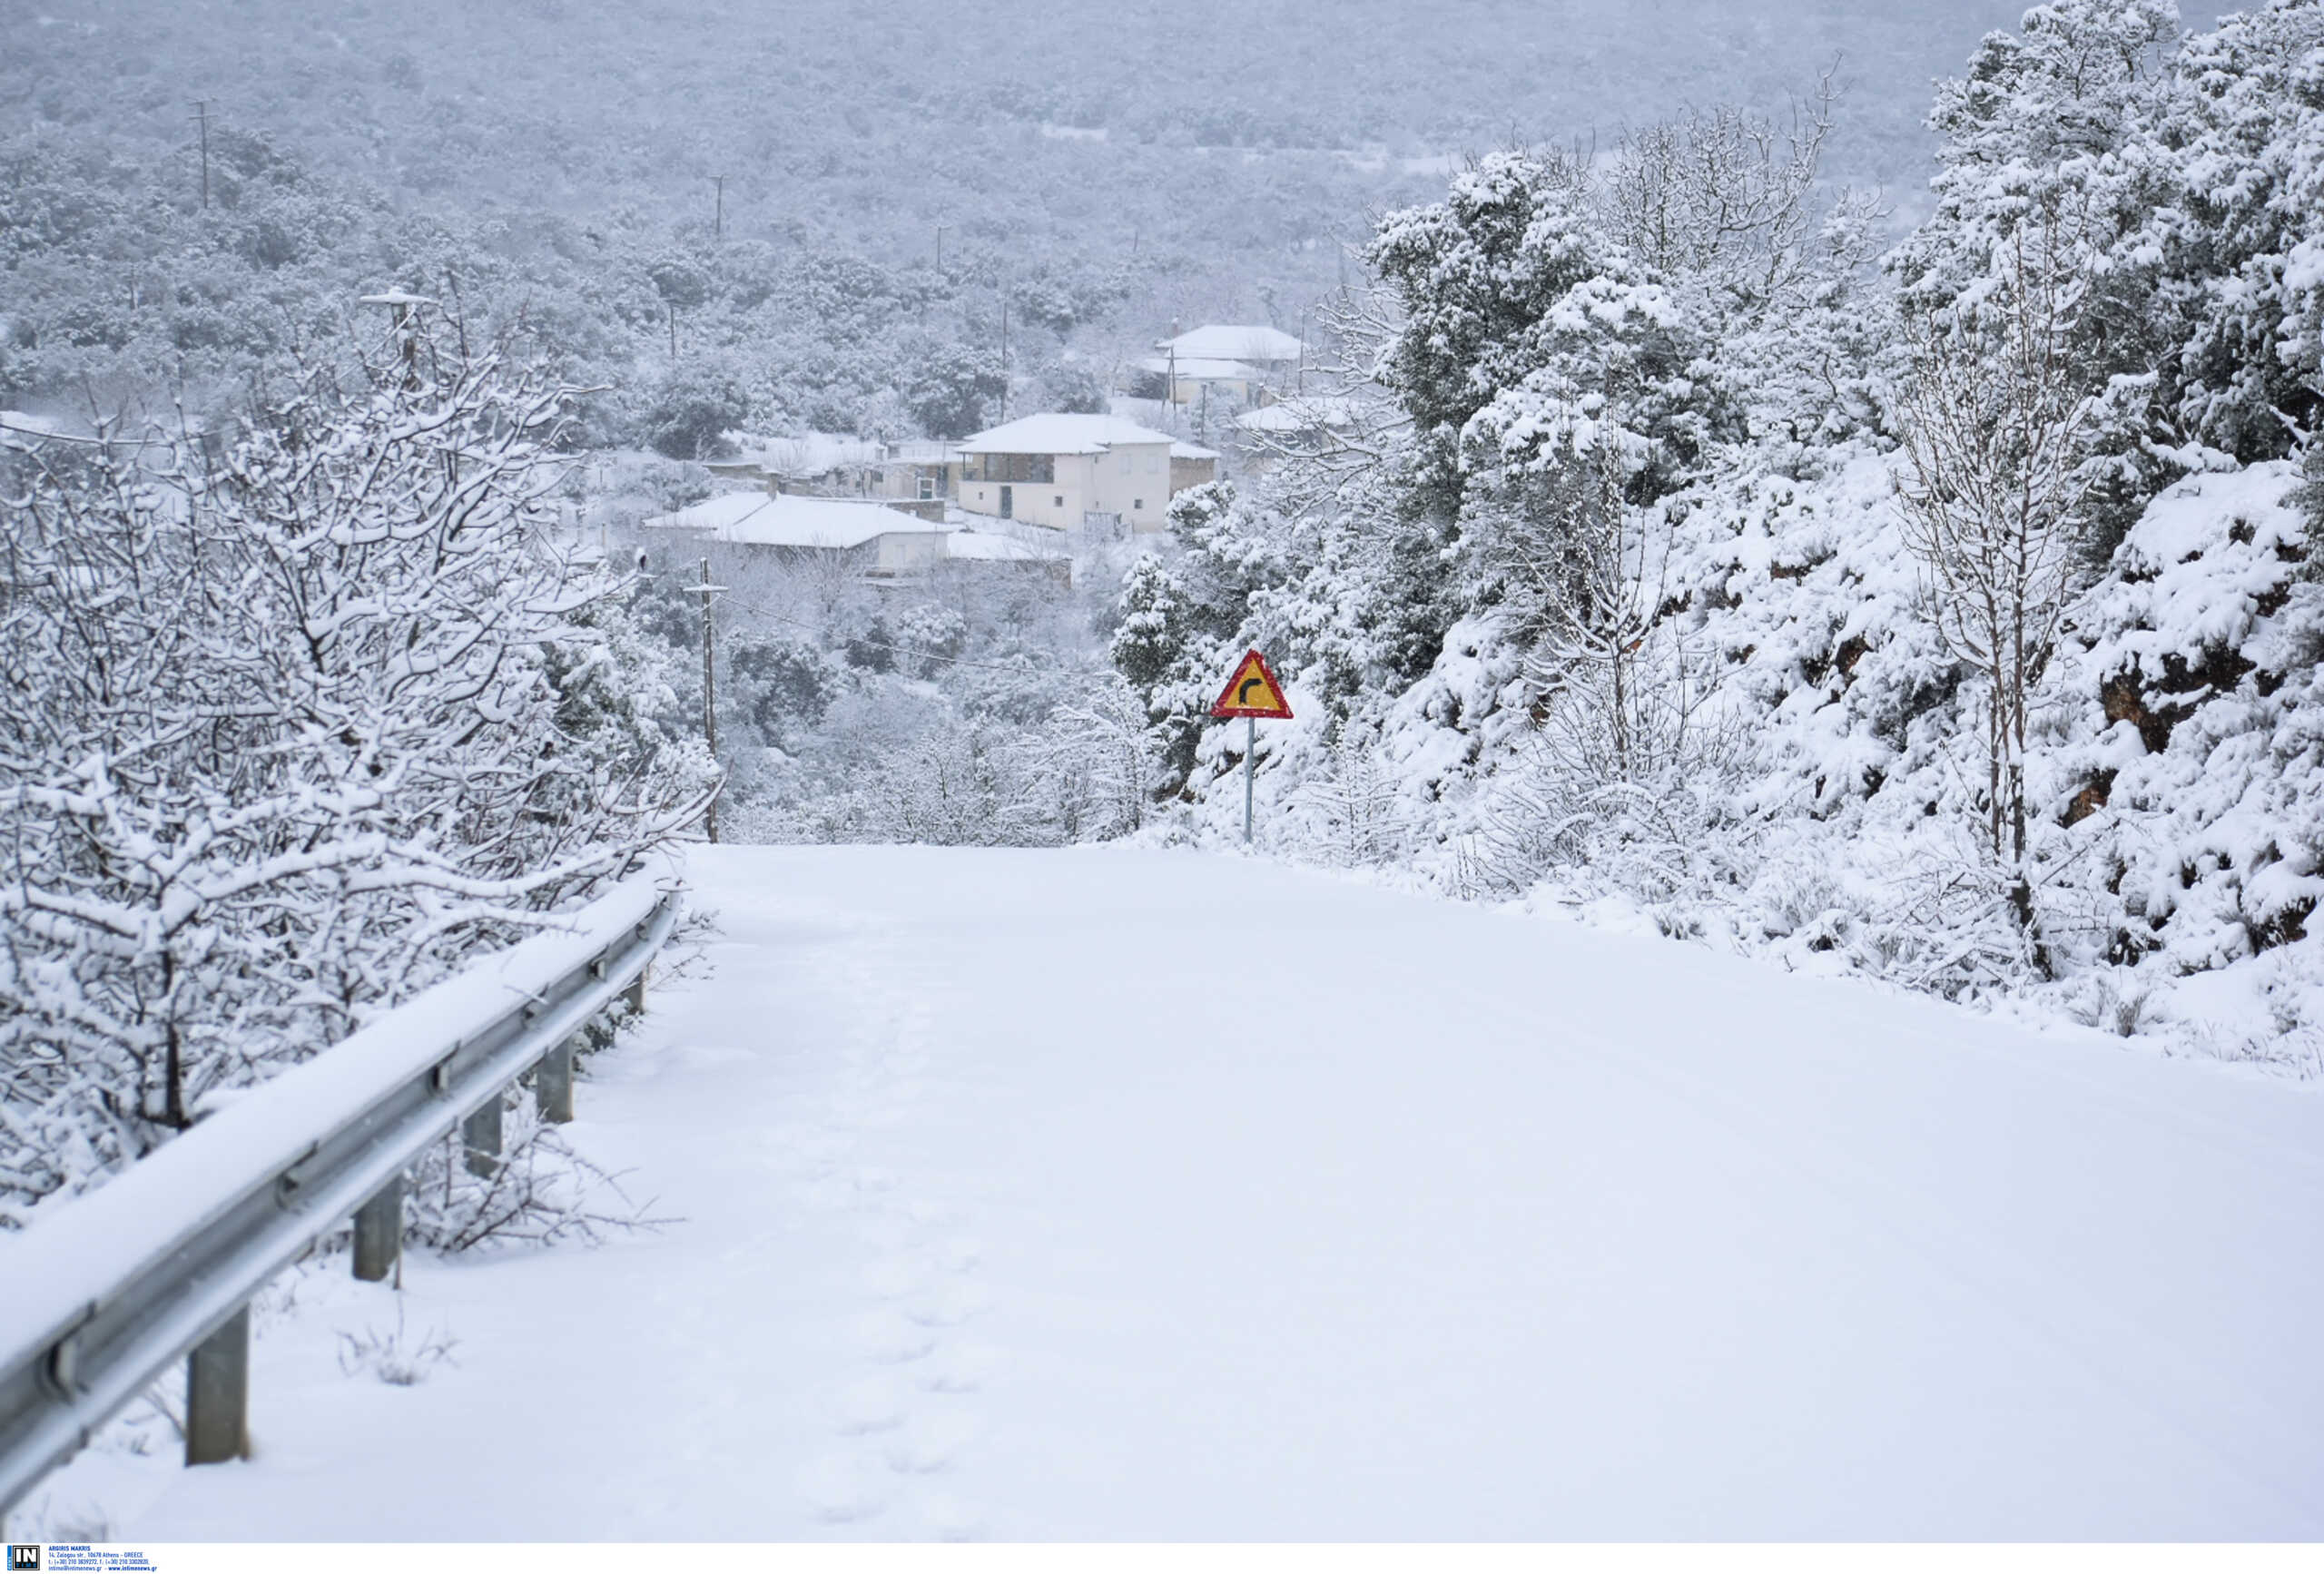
point(1949, 615)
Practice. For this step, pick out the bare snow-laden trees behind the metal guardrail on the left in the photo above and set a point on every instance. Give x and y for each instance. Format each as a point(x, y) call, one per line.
point(289, 727)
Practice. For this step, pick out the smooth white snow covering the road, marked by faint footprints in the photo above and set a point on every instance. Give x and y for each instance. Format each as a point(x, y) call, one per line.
point(1135, 1194)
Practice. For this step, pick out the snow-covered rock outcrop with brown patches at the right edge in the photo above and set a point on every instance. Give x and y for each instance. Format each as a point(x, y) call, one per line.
point(2200, 759)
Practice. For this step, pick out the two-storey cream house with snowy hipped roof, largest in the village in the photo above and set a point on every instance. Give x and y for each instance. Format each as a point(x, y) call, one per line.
point(1059, 471)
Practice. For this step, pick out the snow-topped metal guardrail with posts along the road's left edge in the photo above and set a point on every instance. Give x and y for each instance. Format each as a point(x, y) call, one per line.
point(164, 1261)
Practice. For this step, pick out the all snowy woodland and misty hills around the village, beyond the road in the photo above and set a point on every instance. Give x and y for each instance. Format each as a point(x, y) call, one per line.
point(1828, 482)
